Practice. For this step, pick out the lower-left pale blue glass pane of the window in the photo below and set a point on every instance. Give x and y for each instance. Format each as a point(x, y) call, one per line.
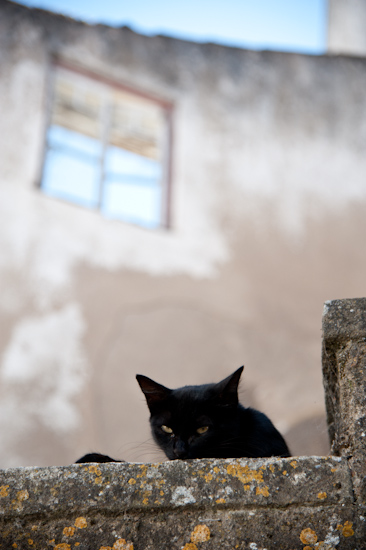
point(72, 179)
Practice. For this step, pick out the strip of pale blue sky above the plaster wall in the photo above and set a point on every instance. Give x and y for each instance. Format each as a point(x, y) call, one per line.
point(287, 25)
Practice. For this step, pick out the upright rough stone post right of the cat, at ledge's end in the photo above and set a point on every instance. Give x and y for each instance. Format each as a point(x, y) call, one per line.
point(344, 374)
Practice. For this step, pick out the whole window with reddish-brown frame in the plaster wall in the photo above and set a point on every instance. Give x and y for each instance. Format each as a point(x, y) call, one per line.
point(108, 148)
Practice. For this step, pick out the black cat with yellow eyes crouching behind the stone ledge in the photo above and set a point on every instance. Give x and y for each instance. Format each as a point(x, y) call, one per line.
point(208, 421)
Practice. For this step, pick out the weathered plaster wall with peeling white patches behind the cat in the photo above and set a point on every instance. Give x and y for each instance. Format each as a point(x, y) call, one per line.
point(268, 222)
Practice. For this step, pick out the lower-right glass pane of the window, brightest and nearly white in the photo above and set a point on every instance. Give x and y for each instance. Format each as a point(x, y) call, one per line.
point(136, 202)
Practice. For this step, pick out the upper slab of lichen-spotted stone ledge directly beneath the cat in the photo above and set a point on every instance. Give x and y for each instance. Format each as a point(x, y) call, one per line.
point(178, 484)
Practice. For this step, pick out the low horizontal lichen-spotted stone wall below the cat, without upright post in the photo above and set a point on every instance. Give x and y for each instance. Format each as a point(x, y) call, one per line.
point(179, 504)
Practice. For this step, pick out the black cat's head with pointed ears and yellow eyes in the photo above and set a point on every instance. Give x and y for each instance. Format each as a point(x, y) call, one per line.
point(192, 422)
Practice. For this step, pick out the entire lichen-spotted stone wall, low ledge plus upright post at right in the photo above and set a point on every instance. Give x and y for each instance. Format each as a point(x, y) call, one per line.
point(255, 504)
